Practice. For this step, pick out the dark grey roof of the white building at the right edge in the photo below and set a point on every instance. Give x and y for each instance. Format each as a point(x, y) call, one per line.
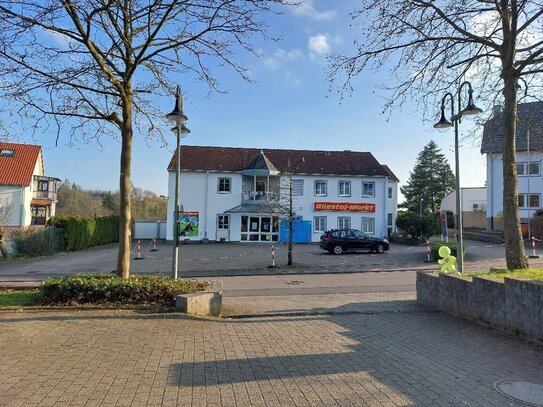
point(530, 118)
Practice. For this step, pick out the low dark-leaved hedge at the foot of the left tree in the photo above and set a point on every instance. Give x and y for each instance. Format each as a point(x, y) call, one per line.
point(110, 289)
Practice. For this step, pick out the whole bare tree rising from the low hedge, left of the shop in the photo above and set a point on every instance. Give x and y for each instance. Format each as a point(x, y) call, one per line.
point(94, 66)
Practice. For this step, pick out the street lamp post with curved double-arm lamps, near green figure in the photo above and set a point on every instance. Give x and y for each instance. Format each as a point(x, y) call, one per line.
point(444, 124)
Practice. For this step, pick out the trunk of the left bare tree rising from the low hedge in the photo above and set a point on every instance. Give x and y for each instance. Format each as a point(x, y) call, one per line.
point(123, 258)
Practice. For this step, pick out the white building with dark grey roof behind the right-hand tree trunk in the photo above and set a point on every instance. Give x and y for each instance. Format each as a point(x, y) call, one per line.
point(529, 146)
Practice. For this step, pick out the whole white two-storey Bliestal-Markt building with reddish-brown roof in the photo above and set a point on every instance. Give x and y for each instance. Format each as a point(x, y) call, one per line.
point(232, 193)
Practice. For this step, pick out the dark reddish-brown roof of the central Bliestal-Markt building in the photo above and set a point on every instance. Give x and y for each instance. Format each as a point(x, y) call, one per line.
point(199, 158)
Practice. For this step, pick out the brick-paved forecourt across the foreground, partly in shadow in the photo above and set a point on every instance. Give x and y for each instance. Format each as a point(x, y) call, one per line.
point(386, 353)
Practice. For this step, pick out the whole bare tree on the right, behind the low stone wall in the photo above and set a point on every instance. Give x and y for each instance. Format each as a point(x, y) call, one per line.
point(427, 46)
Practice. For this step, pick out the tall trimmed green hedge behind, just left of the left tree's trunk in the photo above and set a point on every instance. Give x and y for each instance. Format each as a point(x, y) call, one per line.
point(82, 233)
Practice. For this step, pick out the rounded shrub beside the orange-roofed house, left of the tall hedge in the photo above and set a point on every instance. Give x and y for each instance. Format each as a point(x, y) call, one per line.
point(35, 241)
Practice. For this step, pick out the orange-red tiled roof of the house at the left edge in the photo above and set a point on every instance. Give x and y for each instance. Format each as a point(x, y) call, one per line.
point(19, 168)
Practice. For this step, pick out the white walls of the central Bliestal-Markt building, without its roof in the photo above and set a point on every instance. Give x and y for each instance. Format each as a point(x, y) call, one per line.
point(199, 192)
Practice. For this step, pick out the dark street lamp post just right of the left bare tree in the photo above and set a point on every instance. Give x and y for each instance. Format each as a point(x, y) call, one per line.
point(179, 118)
